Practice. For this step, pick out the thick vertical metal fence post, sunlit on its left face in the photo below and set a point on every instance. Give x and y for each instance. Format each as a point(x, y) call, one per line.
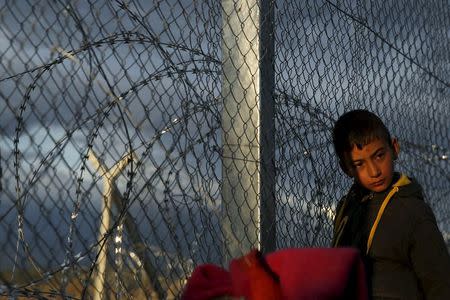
point(247, 127)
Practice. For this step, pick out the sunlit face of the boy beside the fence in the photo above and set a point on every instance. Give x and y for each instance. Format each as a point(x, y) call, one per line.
point(372, 166)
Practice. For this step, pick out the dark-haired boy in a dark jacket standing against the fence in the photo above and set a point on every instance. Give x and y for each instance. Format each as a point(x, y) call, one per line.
point(385, 216)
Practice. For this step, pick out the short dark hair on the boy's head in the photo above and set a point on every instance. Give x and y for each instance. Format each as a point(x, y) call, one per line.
point(357, 127)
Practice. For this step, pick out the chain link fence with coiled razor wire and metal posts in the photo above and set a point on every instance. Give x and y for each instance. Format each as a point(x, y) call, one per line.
point(141, 138)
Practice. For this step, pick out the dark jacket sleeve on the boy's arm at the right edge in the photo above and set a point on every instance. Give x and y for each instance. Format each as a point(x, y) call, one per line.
point(429, 255)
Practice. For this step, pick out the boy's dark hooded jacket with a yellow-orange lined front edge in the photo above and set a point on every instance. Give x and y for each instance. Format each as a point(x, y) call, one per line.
point(396, 231)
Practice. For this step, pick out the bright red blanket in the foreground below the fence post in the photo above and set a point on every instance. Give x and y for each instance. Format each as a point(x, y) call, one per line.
point(298, 273)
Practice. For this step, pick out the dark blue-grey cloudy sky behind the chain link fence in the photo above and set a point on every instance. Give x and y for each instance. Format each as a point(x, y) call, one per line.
point(163, 62)
